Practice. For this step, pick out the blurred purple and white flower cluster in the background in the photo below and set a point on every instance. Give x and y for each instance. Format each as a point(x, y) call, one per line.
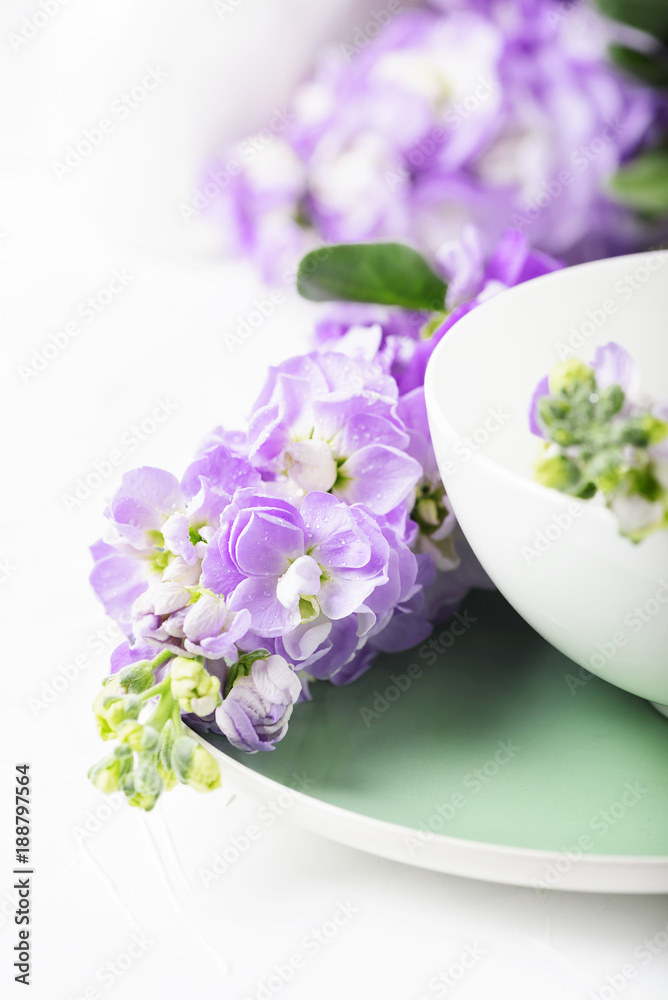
point(493, 113)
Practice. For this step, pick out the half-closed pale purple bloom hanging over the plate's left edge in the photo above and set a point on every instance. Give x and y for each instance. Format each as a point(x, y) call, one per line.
point(255, 714)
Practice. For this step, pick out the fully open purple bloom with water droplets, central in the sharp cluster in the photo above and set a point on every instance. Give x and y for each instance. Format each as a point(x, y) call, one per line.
point(288, 566)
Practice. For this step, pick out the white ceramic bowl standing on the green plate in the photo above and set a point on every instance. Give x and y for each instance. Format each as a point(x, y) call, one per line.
point(563, 565)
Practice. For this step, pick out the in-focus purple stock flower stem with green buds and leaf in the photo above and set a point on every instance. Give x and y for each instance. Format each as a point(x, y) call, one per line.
point(296, 550)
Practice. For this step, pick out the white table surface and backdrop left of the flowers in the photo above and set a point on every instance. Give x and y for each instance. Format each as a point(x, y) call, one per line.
point(126, 905)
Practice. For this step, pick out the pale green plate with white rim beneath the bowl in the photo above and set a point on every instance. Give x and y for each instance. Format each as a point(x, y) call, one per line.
point(494, 757)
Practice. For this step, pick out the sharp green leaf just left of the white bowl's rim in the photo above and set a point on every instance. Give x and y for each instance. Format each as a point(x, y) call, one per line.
point(383, 273)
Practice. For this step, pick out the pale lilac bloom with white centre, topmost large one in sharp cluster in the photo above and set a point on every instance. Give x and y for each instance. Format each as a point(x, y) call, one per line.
point(325, 422)
